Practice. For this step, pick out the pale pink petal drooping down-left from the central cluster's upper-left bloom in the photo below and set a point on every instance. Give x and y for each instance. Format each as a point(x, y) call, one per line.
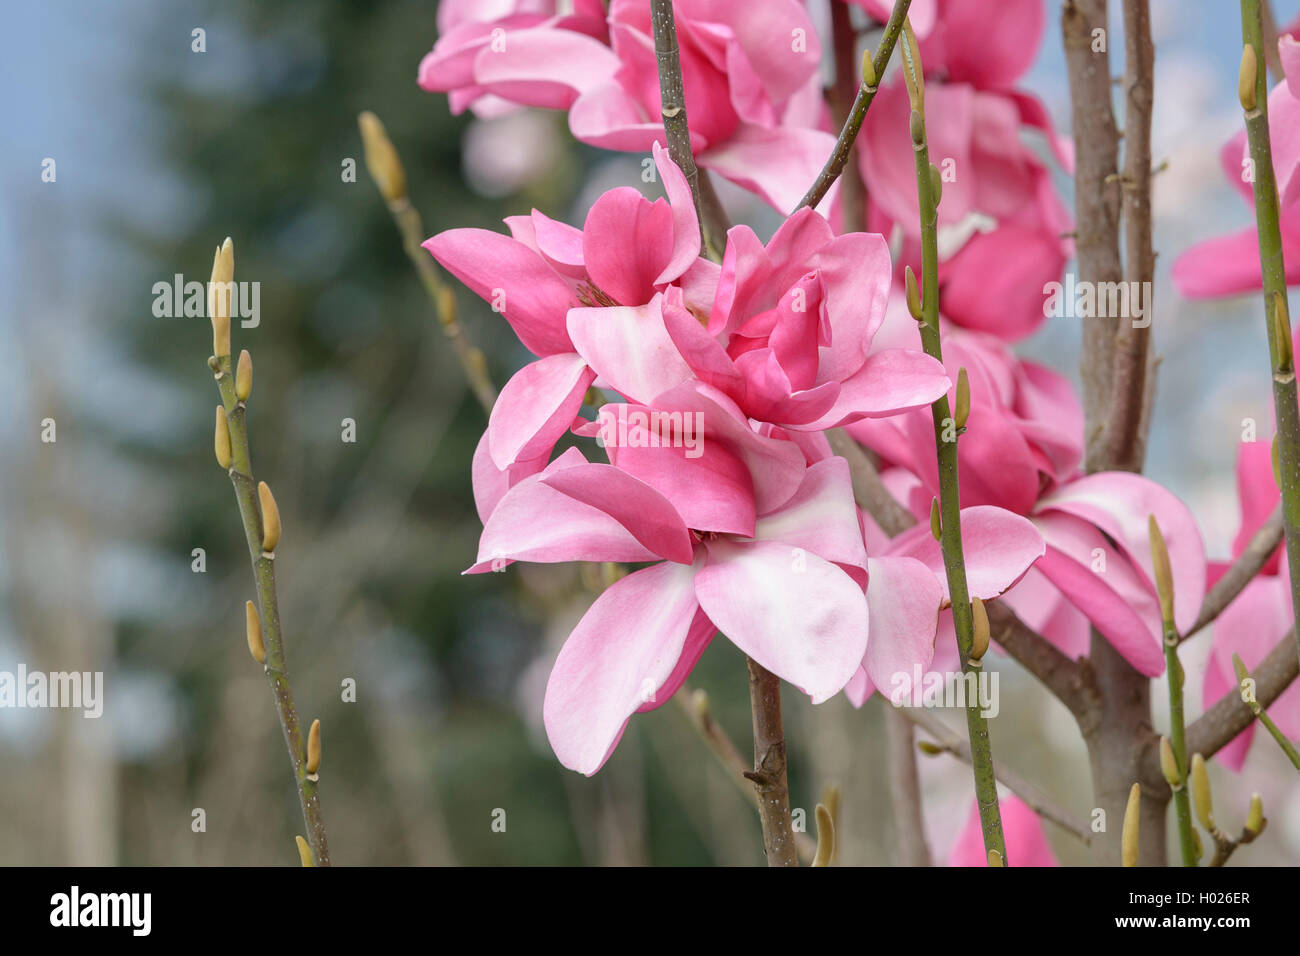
point(536, 408)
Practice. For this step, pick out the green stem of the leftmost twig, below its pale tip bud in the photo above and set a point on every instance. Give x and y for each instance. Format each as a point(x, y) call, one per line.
point(268, 609)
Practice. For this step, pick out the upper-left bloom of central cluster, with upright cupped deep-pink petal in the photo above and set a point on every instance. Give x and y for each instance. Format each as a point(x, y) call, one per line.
point(627, 253)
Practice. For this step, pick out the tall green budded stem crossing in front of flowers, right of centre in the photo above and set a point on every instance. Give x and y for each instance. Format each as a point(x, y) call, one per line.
point(950, 501)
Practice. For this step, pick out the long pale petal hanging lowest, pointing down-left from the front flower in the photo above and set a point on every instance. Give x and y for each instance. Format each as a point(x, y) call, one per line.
point(617, 659)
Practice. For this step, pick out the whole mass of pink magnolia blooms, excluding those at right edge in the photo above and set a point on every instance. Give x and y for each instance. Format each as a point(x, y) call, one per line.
point(718, 382)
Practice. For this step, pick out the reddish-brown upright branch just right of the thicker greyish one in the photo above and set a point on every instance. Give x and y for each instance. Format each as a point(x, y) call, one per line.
point(1124, 431)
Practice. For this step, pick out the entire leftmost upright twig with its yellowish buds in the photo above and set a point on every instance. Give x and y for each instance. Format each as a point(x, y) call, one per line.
point(239, 462)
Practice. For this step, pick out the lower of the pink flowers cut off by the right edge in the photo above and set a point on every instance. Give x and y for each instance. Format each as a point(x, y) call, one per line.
point(1262, 615)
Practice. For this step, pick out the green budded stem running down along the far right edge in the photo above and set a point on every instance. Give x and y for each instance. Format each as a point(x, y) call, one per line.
point(1275, 292)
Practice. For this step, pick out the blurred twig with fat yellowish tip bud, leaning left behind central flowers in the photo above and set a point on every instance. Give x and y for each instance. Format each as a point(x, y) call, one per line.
point(385, 167)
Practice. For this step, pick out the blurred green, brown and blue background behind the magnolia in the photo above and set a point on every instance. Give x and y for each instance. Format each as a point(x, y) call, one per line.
point(163, 153)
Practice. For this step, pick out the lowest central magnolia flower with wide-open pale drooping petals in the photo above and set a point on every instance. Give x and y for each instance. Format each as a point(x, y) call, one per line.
point(749, 539)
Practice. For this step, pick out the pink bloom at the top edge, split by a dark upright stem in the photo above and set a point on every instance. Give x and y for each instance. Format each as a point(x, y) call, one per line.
point(751, 77)
